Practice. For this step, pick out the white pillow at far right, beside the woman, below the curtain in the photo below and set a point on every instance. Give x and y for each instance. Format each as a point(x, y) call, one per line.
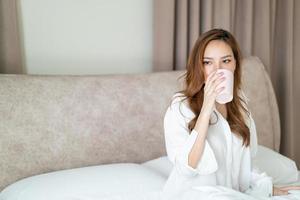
point(281, 168)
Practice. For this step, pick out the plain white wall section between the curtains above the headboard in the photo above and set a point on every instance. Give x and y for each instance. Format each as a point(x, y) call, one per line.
point(86, 36)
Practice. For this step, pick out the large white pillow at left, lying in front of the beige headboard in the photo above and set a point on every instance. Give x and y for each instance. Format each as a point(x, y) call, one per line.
point(96, 182)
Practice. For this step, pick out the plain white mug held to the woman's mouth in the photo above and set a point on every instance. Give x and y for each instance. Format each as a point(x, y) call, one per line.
point(226, 95)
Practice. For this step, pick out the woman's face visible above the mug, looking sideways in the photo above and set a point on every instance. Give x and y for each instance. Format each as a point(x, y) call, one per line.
point(218, 55)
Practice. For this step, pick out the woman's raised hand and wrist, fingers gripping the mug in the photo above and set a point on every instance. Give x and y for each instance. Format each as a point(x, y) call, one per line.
point(211, 91)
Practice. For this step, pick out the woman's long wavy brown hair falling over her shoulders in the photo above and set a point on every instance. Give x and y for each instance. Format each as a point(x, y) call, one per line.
point(194, 83)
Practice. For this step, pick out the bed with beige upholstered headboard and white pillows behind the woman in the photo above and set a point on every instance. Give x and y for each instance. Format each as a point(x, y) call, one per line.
point(101, 136)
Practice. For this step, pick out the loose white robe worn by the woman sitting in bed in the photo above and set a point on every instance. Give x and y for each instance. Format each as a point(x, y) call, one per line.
point(225, 162)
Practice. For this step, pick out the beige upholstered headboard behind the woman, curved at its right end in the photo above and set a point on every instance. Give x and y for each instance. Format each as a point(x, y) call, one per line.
point(50, 123)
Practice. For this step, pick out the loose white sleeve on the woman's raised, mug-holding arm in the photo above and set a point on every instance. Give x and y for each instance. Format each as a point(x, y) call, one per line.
point(179, 143)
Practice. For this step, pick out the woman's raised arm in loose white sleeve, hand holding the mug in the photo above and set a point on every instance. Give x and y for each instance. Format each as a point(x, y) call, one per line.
point(186, 150)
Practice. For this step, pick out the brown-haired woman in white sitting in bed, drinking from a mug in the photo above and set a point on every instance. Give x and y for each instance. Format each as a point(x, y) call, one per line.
point(211, 144)
